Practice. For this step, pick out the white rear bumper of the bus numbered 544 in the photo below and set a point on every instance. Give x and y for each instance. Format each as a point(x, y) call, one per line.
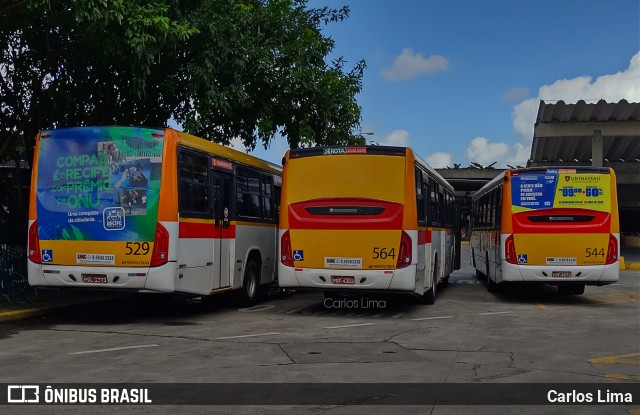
point(591, 275)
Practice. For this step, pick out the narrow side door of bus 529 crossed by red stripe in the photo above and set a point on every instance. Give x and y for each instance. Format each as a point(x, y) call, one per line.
point(224, 232)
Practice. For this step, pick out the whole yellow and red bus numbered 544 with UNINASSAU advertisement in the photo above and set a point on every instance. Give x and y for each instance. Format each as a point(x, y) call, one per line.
point(556, 226)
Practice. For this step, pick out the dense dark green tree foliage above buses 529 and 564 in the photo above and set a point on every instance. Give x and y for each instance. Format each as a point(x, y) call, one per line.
point(221, 68)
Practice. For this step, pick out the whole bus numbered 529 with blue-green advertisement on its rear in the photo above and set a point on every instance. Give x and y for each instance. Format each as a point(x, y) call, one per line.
point(150, 210)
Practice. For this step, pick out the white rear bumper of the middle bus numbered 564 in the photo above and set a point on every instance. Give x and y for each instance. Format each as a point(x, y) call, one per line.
point(402, 280)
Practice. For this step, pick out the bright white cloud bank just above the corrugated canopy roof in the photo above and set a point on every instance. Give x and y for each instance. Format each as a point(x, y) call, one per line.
point(611, 88)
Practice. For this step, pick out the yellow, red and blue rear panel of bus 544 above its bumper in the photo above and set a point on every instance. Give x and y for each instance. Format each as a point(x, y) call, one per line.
point(577, 233)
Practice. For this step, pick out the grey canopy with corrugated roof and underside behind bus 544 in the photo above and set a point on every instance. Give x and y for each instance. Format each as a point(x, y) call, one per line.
point(563, 132)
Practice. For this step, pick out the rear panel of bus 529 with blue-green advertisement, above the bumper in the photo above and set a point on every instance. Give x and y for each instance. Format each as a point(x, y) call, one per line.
point(98, 185)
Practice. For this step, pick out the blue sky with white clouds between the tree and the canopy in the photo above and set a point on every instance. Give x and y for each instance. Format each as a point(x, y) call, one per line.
point(461, 81)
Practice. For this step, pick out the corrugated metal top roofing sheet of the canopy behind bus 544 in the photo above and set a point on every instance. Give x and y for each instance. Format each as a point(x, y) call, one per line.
point(583, 112)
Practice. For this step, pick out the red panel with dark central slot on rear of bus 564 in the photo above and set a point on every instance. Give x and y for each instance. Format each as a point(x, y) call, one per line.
point(389, 219)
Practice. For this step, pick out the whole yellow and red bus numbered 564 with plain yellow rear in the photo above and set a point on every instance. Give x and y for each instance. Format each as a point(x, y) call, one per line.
point(365, 218)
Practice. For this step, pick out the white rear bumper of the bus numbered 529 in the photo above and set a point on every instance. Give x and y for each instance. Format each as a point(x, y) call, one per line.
point(156, 279)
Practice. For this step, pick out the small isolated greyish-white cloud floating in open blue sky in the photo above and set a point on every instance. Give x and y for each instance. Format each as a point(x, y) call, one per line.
point(408, 65)
